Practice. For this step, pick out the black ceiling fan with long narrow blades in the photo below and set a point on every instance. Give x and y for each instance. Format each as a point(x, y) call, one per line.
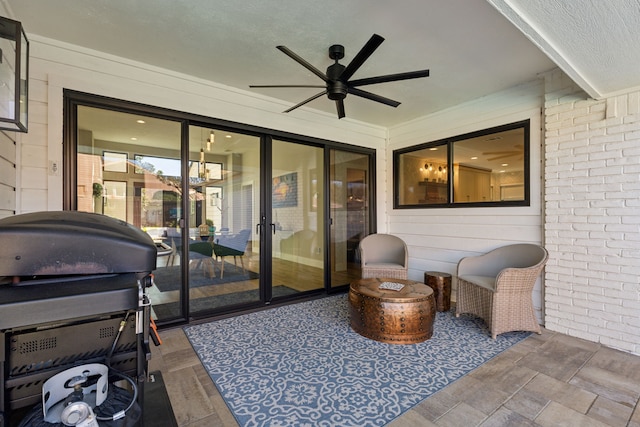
point(337, 83)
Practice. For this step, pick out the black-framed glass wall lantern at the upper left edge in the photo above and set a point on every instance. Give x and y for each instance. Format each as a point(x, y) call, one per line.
point(14, 76)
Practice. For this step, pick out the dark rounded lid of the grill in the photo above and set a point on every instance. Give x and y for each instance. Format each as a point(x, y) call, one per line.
point(55, 243)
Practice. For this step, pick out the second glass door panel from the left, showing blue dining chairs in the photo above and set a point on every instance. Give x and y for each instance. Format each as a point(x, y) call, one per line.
point(223, 256)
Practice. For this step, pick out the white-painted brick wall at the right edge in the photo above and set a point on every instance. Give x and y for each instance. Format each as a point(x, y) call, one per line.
point(592, 214)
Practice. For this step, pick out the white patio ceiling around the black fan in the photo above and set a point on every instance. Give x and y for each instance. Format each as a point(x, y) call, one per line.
point(471, 47)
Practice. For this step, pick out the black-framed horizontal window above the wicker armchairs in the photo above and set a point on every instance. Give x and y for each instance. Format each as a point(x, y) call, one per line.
point(484, 168)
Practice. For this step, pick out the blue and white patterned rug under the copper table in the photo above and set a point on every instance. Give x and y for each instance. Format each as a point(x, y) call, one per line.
point(302, 365)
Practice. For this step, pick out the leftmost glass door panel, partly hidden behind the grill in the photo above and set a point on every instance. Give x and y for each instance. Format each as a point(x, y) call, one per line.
point(129, 168)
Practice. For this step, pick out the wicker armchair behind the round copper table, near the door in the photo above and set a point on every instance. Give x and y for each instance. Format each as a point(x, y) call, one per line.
point(383, 255)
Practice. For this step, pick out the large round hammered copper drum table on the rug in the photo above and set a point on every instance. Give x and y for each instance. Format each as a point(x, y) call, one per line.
point(402, 316)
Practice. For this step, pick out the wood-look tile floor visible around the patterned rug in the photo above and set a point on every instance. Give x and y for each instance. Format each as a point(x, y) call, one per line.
point(546, 380)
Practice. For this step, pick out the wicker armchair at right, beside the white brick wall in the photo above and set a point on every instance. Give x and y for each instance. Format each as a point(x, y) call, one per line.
point(497, 287)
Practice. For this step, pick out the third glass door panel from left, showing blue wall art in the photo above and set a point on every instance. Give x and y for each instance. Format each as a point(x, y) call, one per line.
point(297, 215)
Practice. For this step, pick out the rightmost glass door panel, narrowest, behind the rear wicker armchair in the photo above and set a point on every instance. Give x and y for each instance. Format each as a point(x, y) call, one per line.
point(350, 201)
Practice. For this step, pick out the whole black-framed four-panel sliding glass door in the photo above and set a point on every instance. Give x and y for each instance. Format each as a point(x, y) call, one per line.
point(240, 218)
